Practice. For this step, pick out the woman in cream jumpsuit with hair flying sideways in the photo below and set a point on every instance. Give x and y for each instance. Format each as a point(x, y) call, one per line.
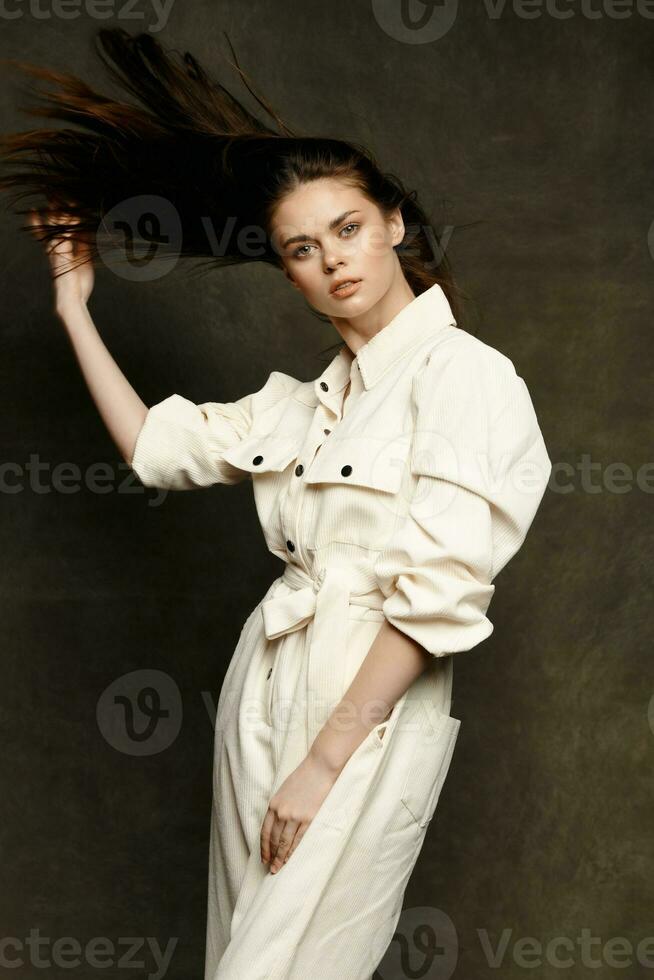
point(394, 487)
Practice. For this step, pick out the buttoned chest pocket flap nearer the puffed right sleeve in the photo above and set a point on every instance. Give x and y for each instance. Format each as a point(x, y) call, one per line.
point(365, 461)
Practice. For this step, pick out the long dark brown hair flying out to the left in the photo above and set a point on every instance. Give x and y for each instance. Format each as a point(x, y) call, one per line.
point(189, 143)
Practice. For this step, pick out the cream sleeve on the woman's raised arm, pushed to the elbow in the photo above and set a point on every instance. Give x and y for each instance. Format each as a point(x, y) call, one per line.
point(180, 445)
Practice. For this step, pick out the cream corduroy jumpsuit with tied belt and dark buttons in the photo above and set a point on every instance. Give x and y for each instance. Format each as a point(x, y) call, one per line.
point(396, 485)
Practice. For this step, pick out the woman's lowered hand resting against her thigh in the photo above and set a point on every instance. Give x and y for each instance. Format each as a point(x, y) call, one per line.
point(292, 808)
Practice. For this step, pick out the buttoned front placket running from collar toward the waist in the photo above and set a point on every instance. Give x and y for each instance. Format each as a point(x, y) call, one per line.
point(329, 412)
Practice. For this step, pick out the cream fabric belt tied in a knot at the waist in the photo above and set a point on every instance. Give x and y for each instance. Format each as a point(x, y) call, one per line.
point(324, 600)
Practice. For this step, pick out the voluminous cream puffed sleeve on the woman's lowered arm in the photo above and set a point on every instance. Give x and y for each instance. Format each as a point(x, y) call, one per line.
point(481, 469)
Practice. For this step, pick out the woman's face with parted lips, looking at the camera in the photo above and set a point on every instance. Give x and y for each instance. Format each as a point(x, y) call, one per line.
point(326, 231)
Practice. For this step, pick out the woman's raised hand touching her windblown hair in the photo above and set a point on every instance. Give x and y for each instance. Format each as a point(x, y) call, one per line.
point(70, 263)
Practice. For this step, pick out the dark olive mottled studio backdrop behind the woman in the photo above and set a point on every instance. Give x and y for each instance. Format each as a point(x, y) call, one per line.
point(535, 132)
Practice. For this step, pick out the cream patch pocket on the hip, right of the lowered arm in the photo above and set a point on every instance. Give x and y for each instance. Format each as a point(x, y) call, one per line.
point(429, 766)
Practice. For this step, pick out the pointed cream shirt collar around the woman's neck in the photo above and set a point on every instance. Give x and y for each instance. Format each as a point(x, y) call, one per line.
point(425, 315)
